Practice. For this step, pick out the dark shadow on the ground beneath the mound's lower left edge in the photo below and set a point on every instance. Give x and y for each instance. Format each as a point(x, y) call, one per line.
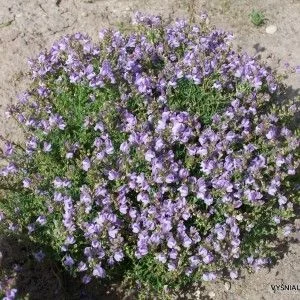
point(43, 280)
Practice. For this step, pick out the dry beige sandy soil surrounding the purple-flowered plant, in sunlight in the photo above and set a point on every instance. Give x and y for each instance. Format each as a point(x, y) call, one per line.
point(28, 26)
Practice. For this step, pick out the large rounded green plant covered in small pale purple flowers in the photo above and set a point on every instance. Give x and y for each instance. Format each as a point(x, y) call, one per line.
point(154, 156)
